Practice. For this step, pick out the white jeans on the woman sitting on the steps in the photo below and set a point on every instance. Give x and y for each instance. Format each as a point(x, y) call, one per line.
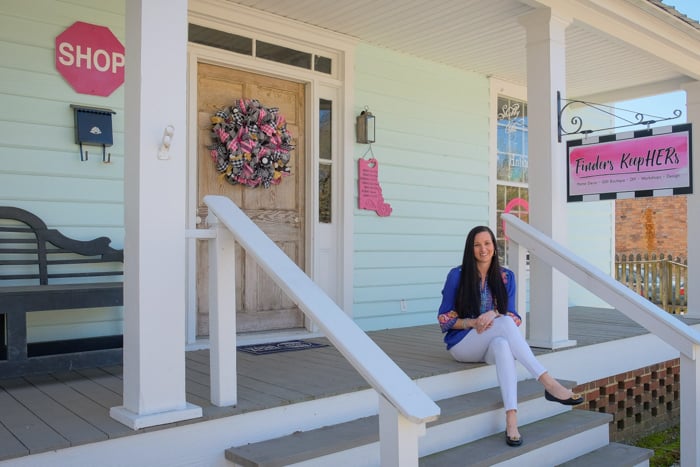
point(501, 344)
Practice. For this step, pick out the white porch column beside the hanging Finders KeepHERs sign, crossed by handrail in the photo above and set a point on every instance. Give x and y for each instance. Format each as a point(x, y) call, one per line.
point(548, 320)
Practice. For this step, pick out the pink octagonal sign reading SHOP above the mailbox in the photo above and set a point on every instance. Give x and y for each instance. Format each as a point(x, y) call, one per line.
point(90, 58)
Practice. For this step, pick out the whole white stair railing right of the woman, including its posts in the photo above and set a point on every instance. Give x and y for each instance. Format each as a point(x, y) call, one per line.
point(669, 329)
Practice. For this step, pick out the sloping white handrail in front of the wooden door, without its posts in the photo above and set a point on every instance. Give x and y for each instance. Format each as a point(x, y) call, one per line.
point(362, 353)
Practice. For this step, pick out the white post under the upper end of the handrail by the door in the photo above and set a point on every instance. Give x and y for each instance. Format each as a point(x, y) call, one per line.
point(222, 315)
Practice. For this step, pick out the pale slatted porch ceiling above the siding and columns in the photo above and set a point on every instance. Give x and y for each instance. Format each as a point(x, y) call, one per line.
point(603, 55)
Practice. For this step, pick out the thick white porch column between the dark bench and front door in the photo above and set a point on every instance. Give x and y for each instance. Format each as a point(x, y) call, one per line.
point(154, 262)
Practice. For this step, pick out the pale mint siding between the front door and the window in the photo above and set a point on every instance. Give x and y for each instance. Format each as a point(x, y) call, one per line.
point(432, 149)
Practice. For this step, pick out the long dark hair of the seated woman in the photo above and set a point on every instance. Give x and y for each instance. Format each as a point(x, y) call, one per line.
point(468, 300)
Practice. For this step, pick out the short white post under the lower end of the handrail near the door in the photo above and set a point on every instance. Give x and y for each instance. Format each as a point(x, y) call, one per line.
point(398, 437)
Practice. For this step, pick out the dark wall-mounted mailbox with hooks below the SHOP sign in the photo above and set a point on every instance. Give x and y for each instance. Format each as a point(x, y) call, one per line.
point(93, 126)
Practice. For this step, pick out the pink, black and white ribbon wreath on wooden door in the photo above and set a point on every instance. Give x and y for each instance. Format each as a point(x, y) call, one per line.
point(251, 144)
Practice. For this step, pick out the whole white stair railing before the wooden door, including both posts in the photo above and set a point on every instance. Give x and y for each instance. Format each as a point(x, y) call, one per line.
point(404, 409)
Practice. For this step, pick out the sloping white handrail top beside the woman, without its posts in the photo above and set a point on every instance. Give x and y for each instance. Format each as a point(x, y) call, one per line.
point(671, 330)
